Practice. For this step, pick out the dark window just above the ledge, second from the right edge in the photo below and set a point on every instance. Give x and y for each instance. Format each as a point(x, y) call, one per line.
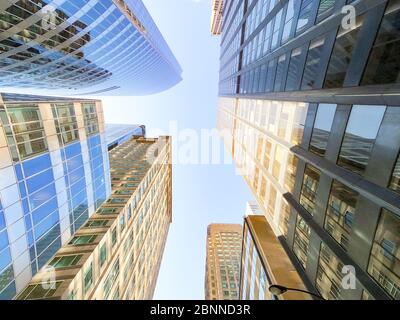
point(342, 55)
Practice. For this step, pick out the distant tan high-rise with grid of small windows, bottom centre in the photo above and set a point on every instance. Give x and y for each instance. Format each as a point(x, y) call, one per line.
point(224, 243)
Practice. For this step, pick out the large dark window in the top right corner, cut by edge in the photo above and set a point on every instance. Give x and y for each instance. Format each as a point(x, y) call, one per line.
point(384, 63)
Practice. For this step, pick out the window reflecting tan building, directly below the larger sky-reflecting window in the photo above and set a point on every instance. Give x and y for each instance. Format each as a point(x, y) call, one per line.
point(340, 212)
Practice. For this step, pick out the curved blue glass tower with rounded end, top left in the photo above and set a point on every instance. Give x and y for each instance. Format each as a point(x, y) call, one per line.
point(83, 47)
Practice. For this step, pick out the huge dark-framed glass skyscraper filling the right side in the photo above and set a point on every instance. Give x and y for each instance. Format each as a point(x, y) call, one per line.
point(309, 108)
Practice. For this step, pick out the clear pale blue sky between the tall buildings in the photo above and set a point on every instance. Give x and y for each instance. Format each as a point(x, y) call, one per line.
point(202, 194)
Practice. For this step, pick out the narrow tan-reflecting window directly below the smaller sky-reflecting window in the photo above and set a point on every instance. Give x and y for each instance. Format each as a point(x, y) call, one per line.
point(309, 189)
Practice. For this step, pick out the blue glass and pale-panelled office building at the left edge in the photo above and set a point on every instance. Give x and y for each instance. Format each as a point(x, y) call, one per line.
point(54, 171)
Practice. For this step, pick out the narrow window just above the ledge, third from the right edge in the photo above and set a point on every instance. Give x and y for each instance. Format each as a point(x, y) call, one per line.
point(313, 64)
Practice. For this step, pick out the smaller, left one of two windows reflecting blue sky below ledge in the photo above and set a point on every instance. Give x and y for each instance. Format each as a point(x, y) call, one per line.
point(322, 128)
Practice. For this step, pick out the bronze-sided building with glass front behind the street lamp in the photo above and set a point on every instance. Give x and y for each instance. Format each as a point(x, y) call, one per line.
point(265, 262)
